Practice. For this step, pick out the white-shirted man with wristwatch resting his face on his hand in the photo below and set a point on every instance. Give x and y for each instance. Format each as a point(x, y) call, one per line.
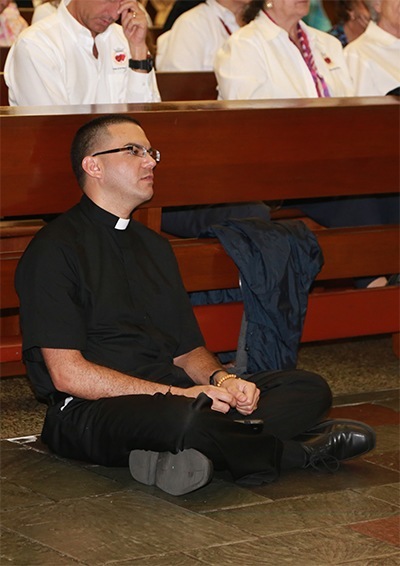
point(80, 55)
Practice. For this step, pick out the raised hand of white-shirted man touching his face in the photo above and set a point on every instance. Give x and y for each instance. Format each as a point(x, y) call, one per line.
point(134, 24)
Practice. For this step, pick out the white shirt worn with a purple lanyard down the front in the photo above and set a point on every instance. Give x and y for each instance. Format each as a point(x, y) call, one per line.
point(260, 61)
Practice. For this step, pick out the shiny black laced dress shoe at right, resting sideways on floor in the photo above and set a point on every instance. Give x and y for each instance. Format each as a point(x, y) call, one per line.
point(342, 442)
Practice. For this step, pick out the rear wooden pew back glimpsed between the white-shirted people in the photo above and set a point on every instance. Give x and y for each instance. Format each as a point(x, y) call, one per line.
point(172, 86)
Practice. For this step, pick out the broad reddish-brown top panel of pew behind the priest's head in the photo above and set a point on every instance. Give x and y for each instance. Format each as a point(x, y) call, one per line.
point(213, 152)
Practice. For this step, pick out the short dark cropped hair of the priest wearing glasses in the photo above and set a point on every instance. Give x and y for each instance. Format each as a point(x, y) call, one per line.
point(87, 138)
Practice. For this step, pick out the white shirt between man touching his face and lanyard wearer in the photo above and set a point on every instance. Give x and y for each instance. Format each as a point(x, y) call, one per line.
point(195, 37)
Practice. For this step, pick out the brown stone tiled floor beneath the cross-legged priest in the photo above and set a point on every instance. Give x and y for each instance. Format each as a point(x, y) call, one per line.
point(57, 512)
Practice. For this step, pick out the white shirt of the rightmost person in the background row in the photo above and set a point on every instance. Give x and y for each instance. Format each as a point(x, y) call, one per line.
point(373, 60)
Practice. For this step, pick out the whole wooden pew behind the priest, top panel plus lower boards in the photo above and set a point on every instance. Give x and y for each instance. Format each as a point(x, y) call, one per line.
point(232, 151)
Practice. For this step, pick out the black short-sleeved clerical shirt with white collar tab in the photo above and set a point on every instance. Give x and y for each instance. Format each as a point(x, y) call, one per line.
point(109, 288)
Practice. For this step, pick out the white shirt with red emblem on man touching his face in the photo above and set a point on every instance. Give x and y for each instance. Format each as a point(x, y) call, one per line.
point(52, 63)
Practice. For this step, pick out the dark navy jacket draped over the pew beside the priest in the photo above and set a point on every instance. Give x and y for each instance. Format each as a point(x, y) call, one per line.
point(278, 262)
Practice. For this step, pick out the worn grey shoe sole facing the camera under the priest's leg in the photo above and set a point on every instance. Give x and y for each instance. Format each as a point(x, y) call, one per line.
point(175, 474)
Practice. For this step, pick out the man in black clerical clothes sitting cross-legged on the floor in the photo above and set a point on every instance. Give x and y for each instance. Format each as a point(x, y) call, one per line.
point(112, 346)
